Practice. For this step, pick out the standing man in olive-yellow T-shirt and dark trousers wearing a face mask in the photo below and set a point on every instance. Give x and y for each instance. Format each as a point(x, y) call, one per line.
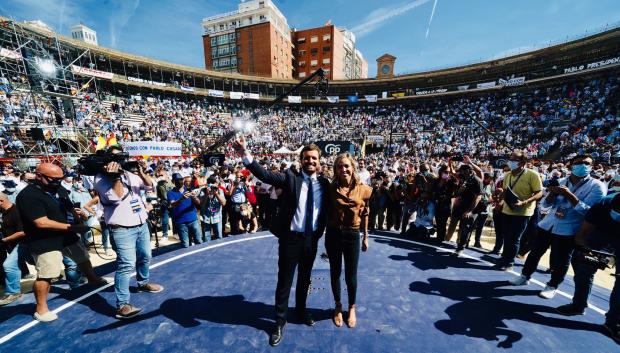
point(522, 188)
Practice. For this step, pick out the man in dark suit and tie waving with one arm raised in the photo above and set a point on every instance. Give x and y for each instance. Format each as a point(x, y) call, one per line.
point(299, 226)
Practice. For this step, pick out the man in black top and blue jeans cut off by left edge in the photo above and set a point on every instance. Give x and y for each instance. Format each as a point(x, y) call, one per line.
point(11, 243)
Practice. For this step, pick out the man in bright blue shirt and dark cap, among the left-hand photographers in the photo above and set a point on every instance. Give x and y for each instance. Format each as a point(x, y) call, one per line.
point(184, 216)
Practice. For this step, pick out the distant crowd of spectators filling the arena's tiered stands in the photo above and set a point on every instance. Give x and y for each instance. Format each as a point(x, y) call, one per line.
point(578, 116)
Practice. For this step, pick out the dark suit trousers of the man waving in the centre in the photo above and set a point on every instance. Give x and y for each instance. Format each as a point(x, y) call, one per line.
point(293, 251)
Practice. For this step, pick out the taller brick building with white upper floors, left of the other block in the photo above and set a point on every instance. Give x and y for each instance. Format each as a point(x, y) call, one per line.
point(254, 40)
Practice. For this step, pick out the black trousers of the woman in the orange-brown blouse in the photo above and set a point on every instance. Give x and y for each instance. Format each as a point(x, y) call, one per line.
point(339, 244)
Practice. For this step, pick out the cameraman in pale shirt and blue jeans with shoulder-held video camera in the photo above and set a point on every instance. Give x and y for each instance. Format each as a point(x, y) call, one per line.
point(125, 214)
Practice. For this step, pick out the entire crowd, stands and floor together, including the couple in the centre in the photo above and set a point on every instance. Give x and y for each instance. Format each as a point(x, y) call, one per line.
point(438, 179)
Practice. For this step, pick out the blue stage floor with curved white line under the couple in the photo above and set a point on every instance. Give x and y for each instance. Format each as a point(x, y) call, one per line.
point(412, 297)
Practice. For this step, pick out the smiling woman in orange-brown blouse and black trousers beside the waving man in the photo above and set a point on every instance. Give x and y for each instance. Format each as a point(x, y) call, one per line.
point(348, 217)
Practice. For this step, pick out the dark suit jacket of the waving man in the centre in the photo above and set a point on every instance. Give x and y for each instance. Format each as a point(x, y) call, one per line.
point(290, 183)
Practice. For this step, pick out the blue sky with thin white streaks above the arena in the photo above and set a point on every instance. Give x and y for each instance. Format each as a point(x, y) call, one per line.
point(461, 31)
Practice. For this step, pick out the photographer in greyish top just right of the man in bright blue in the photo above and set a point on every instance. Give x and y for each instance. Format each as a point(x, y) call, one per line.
point(212, 200)
